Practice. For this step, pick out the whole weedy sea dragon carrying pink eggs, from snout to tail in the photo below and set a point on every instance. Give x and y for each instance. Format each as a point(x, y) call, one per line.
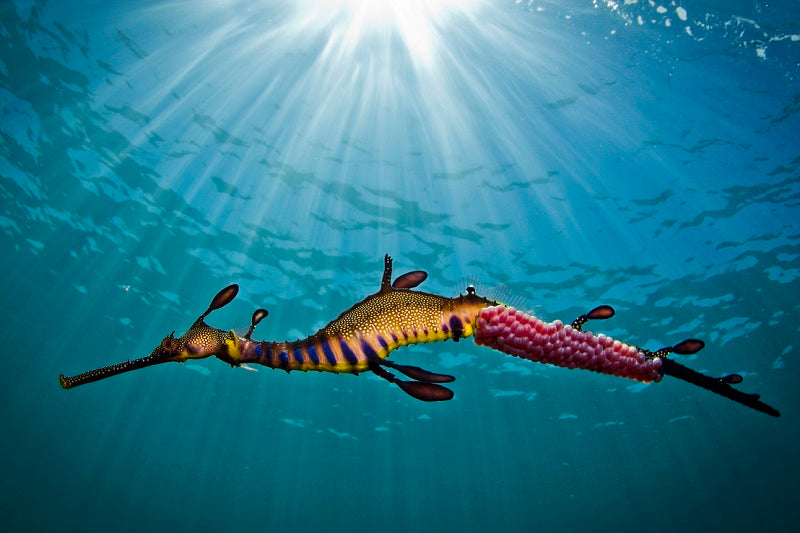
point(361, 338)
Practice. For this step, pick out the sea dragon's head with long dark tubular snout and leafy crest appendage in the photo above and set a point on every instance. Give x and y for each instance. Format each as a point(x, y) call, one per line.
point(200, 341)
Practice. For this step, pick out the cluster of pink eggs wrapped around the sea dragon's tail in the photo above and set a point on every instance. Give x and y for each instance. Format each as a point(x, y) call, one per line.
point(522, 335)
